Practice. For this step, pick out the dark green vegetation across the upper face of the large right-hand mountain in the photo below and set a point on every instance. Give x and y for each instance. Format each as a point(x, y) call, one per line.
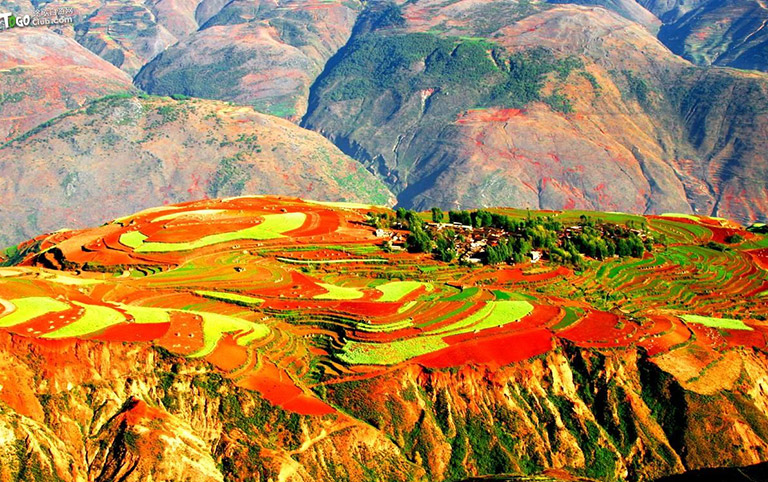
point(474, 72)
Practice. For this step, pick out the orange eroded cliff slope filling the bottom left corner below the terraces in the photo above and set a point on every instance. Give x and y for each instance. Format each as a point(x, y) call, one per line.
point(117, 426)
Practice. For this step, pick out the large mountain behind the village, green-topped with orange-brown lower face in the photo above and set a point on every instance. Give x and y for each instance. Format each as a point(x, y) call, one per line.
point(567, 106)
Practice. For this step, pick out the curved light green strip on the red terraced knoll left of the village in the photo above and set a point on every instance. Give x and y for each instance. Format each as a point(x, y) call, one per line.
point(271, 228)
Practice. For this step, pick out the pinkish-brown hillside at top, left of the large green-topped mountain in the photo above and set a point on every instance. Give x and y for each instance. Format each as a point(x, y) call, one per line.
point(265, 54)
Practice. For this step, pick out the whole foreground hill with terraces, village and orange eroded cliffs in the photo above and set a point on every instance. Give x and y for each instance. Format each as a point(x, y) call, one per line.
point(269, 338)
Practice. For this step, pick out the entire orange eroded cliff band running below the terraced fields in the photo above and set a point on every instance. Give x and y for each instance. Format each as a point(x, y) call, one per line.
point(78, 410)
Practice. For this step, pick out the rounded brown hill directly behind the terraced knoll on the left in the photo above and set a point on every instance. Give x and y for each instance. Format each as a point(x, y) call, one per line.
point(123, 153)
